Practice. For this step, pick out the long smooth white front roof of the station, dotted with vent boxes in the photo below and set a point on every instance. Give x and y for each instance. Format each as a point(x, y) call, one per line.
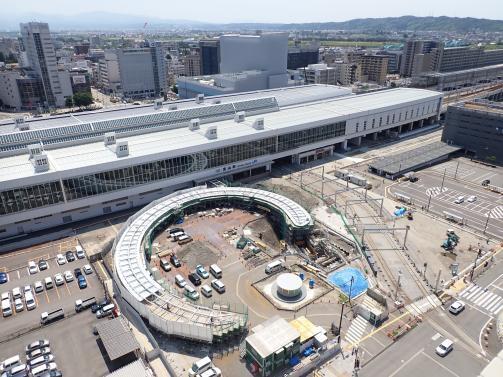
point(181, 140)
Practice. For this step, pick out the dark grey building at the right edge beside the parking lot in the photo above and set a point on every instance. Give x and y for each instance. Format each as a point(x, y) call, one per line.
point(477, 126)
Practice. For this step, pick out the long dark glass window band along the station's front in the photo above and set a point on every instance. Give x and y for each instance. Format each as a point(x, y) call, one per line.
point(27, 198)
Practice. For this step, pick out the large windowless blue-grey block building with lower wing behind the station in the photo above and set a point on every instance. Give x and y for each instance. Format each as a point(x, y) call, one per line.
point(247, 62)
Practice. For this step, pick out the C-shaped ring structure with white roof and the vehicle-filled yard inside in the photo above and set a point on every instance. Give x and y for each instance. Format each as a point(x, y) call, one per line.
point(166, 255)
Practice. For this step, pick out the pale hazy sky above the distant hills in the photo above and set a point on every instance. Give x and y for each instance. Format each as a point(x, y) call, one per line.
point(281, 11)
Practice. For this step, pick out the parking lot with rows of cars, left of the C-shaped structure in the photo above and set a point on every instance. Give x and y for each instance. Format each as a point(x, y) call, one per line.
point(63, 296)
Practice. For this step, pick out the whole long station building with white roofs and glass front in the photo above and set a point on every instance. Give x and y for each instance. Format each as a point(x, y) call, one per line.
point(142, 153)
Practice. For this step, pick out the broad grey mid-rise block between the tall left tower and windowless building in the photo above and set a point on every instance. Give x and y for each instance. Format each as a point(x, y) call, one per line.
point(142, 71)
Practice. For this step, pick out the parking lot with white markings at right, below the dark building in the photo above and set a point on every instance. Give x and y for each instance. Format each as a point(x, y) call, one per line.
point(438, 194)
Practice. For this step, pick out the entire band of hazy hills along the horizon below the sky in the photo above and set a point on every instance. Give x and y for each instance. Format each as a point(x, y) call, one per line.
point(114, 21)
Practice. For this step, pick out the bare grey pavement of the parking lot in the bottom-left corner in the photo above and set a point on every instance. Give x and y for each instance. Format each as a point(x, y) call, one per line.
point(72, 342)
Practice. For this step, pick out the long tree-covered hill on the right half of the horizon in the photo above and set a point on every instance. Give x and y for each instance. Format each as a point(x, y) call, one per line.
point(404, 23)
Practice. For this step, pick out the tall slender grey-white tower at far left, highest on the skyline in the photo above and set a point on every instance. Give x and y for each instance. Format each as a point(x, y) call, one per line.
point(41, 57)
